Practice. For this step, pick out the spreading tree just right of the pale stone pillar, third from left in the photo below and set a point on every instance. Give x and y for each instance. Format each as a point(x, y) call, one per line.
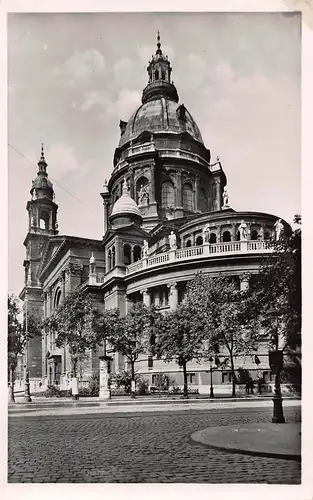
point(130, 335)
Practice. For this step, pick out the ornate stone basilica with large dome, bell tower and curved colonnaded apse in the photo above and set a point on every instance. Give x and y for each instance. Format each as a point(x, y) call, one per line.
point(167, 216)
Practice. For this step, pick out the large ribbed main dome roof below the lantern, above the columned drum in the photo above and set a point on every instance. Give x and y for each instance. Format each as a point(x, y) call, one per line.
point(160, 115)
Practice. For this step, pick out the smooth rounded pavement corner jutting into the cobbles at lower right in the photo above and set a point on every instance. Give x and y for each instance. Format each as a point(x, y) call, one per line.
point(269, 440)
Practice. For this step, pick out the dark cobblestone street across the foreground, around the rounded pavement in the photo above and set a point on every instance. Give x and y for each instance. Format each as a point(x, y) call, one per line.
point(141, 448)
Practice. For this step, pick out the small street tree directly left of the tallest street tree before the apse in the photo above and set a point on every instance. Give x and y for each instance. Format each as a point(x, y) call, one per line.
point(180, 335)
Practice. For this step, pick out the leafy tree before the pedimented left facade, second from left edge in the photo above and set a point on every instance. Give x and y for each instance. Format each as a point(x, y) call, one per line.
point(72, 325)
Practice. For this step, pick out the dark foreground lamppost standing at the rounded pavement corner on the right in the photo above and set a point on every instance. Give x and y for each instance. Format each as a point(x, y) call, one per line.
point(276, 362)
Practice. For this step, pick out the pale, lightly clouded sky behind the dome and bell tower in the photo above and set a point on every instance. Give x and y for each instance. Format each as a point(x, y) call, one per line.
point(72, 77)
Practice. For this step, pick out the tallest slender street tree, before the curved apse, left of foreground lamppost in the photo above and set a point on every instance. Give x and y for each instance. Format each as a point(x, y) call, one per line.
point(226, 312)
